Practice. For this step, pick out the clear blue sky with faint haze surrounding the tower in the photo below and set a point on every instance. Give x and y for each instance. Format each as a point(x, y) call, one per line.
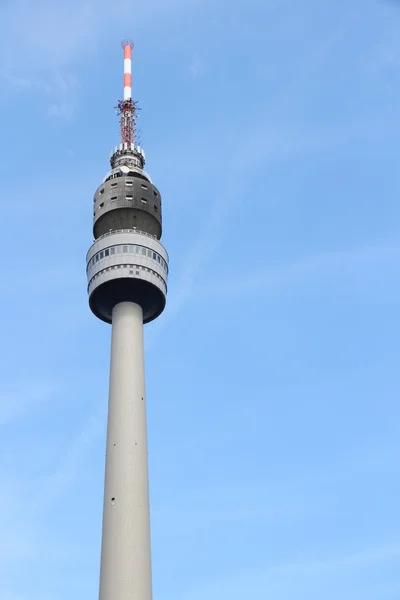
point(272, 129)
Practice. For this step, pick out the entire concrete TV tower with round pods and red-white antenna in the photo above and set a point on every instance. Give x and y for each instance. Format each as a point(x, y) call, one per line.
point(127, 271)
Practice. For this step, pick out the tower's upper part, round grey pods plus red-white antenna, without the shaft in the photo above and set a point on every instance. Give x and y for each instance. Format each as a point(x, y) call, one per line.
point(127, 262)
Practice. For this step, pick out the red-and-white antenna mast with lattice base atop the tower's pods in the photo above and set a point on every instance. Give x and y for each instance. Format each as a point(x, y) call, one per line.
point(127, 153)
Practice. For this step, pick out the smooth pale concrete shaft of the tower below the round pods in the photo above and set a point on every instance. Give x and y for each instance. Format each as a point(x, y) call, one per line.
point(125, 572)
